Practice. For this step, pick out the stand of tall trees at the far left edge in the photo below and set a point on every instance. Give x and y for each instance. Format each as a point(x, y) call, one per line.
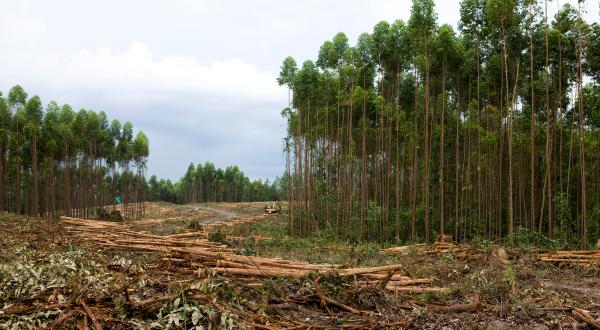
point(56, 161)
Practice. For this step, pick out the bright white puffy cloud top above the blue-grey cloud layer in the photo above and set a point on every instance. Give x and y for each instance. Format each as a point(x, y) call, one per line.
point(137, 71)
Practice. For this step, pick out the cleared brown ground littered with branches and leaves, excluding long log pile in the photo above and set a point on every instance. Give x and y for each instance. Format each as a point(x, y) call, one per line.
point(53, 278)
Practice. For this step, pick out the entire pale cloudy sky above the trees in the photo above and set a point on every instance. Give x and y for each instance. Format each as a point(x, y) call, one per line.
point(197, 76)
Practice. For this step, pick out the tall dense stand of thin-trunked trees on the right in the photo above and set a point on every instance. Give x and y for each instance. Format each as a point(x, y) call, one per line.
point(420, 130)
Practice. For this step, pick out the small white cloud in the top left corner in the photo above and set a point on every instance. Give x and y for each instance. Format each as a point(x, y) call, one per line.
point(17, 26)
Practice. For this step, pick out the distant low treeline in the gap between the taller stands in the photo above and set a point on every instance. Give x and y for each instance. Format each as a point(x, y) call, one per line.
point(205, 183)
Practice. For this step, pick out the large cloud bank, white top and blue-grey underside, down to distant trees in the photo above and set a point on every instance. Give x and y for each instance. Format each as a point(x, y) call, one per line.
point(225, 111)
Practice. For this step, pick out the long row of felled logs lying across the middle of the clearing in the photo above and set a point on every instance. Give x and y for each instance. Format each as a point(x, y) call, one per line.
point(201, 257)
